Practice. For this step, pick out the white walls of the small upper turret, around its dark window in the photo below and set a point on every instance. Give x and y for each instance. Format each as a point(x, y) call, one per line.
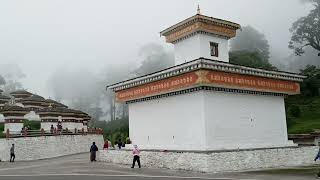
point(198, 46)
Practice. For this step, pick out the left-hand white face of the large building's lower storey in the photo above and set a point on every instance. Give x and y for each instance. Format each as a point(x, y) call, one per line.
point(175, 122)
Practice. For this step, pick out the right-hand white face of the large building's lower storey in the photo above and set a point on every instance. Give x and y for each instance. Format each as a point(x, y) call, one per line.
point(244, 121)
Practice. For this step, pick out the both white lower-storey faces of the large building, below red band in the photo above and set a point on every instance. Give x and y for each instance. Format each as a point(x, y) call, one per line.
point(208, 120)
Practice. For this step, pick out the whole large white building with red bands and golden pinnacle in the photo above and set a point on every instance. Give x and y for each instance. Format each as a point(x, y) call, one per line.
point(204, 103)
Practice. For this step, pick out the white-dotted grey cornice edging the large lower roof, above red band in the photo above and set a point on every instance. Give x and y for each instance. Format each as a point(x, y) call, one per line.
point(209, 64)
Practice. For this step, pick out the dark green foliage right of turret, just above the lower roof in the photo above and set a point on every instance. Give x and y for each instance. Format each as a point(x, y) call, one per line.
point(250, 59)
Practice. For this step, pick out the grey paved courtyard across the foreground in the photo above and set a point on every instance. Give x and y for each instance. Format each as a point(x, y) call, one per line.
point(78, 167)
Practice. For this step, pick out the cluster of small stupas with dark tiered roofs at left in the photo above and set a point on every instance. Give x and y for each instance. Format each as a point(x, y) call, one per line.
point(22, 105)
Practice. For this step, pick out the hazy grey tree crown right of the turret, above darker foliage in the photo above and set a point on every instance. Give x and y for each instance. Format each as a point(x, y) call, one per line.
point(251, 40)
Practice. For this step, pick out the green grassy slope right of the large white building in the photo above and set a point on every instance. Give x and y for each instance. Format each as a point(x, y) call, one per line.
point(309, 118)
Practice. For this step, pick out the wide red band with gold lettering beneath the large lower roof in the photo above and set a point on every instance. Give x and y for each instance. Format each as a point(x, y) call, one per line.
point(209, 78)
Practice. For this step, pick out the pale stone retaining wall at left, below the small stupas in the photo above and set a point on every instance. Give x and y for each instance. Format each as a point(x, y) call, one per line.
point(33, 148)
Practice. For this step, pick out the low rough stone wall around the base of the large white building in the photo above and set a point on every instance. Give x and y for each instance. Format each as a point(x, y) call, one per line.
point(217, 161)
